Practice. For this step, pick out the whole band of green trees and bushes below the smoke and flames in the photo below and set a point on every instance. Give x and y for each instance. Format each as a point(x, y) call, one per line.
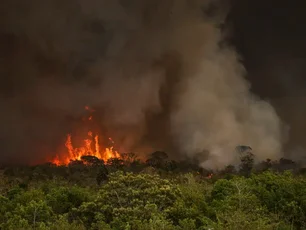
point(158, 194)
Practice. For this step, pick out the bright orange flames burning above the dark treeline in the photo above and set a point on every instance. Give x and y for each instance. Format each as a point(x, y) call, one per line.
point(90, 146)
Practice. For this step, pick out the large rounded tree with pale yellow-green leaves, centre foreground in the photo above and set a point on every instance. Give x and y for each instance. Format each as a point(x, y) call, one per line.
point(129, 198)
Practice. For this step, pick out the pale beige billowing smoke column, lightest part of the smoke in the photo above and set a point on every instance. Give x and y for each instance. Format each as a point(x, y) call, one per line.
point(216, 111)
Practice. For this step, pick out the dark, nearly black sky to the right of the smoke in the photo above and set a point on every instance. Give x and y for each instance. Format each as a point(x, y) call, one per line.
point(271, 37)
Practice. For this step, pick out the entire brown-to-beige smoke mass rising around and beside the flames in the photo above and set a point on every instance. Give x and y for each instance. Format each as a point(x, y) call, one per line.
point(157, 71)
